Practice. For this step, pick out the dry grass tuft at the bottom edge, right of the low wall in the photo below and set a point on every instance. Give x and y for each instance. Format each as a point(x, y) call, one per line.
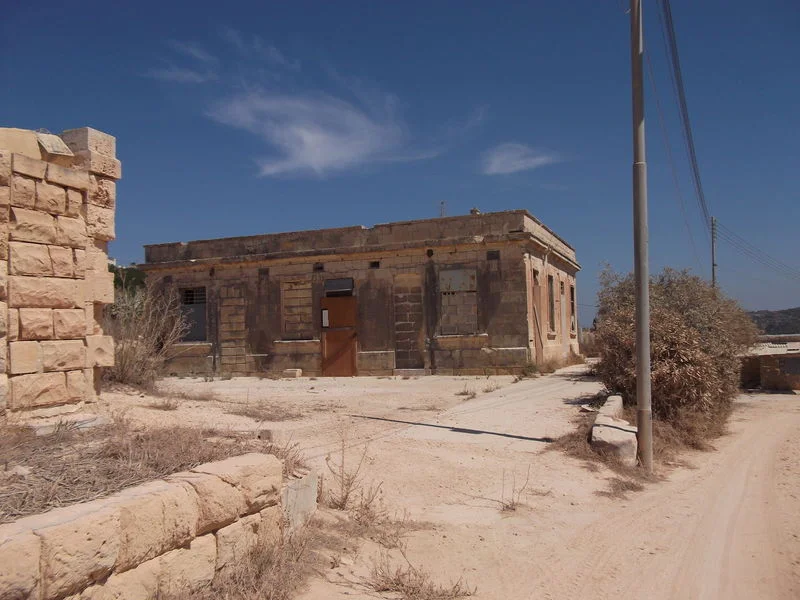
point(412, 583)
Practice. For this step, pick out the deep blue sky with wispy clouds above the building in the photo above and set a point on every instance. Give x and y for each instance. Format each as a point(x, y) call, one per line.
point(244, 118)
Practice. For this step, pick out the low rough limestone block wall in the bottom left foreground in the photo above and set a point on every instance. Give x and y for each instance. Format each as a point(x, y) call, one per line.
point(165, 537)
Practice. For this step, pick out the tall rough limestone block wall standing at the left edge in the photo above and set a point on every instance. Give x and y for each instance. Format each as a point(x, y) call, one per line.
point(57, 197)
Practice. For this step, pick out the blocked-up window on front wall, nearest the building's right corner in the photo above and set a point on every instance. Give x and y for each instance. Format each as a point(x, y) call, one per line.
point(459, 302)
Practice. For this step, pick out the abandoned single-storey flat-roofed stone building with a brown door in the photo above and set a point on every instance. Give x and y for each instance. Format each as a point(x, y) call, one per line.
point(480, 293)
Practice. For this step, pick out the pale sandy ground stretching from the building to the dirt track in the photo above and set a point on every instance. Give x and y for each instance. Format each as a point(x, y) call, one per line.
point(726, 525)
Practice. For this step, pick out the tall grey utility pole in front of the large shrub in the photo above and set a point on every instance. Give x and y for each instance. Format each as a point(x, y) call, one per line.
point(640, 241)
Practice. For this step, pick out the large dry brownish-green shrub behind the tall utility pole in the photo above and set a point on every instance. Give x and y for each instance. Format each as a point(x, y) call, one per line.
point(697, 336)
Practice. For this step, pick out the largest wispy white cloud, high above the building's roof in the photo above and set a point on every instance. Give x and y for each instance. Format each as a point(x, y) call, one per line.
point(316, 134)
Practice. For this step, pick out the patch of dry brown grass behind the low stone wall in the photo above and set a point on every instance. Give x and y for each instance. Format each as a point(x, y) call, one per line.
point(38, 473)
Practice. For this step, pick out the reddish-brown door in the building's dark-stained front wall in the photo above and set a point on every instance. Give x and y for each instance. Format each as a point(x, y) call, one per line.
point(339, 340)
